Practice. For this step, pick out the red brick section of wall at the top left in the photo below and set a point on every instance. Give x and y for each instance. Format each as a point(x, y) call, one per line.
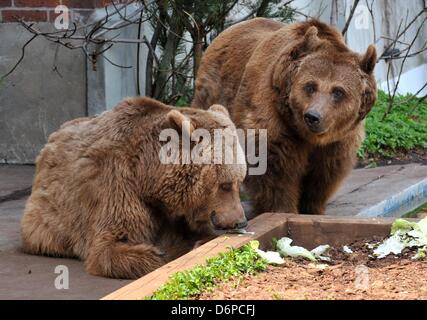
point(43, 10)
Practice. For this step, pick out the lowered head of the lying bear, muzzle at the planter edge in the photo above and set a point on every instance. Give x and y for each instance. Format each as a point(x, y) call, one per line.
point(202, 169)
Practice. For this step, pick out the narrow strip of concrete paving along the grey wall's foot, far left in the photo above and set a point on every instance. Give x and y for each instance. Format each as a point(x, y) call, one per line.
point(15, 181)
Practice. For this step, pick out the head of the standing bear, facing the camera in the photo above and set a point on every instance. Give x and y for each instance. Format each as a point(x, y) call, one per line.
point(326, 88)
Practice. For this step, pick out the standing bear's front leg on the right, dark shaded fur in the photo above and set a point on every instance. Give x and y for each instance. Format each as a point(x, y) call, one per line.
point(328, 167)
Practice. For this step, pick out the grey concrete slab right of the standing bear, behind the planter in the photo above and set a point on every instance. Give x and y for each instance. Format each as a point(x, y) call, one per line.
point(368, 187)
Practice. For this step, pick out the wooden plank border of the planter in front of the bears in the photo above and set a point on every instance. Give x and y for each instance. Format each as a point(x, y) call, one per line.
point(306, 230)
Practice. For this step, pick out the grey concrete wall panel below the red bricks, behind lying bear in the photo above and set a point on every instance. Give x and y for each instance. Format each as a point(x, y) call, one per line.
point(47, 89)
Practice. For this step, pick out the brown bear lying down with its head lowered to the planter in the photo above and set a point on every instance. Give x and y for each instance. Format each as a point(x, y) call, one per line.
point(102, 194)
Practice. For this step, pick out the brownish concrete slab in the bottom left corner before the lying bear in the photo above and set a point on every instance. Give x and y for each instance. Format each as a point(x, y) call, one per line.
point(24, 276)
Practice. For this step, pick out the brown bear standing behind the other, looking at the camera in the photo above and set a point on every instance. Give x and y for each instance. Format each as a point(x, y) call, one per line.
point(304, 85)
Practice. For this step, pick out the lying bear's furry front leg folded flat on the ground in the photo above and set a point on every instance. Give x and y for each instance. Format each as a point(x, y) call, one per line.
point(109, 257)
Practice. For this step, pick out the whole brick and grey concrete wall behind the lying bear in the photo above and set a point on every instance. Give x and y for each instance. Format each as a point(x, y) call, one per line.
point(53, 84)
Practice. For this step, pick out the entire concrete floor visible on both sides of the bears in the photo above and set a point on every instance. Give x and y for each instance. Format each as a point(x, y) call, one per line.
point(24, 276)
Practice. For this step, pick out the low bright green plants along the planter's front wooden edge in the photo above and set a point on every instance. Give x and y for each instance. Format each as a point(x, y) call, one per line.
point(188, 284)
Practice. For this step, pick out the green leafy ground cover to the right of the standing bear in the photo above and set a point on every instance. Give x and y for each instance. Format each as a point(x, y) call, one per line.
point(404, 129)
